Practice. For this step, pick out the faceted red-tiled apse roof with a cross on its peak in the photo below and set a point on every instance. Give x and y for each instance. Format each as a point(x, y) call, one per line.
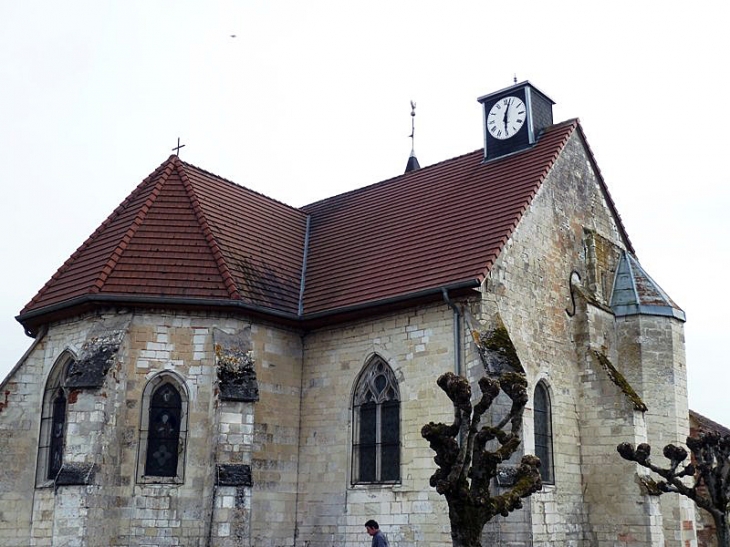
point(184, 233)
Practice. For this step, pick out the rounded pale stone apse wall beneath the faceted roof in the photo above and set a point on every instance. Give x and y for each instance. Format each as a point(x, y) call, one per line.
point(103, 428)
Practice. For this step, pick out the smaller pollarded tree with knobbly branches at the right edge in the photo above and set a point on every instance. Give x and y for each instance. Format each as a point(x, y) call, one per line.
point(709, 487)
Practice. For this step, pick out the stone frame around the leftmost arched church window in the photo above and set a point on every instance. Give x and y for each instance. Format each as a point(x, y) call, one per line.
point(55, 383)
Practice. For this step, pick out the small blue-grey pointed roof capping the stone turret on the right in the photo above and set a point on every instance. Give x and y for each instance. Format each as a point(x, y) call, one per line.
point(634, 292)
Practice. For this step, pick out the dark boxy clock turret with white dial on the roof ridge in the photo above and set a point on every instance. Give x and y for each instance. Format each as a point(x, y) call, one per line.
point(513, 119)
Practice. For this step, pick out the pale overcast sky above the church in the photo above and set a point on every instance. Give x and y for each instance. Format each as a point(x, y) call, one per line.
point(310, 99)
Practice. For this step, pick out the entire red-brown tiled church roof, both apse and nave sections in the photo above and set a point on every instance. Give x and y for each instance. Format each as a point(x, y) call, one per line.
point(185, 237)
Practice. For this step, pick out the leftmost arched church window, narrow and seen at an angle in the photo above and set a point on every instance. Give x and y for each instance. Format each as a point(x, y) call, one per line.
point(53, 422)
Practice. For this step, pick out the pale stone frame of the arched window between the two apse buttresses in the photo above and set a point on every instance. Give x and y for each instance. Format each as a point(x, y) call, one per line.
point(153, 384)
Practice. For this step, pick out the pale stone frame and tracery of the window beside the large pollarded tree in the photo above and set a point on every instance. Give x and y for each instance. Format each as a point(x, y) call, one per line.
point(364, 383)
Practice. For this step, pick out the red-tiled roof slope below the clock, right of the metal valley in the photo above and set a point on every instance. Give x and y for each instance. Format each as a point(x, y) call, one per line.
point(436, 227)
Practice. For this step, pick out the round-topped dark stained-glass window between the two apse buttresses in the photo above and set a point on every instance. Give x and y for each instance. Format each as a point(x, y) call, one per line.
point(164, 429)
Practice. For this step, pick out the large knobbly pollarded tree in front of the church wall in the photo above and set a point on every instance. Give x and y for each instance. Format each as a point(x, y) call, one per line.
point(469, 454)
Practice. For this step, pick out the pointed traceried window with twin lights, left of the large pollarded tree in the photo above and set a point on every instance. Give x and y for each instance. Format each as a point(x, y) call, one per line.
point(376, 425)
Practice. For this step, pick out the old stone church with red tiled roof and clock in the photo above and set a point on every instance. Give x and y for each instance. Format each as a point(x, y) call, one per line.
point(214, 368)
